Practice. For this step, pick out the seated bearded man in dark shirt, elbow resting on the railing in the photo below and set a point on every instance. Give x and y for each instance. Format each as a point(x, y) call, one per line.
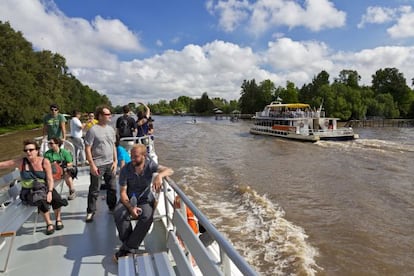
point(135, 178)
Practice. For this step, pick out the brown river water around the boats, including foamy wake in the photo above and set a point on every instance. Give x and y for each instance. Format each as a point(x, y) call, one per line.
point(292, 208)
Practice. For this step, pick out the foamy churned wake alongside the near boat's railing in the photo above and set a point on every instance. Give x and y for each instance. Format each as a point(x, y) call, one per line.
point(256, 226)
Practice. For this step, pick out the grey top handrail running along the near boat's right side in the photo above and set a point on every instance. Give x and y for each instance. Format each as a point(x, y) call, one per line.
point(223, 243)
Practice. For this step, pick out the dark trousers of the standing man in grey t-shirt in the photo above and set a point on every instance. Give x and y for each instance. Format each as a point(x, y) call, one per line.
point(94, 188)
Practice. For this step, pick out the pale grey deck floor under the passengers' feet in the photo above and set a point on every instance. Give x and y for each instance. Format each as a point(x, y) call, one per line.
point(78, 249)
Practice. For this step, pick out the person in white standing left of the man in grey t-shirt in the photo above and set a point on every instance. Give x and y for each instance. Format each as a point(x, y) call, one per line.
point(76, 127)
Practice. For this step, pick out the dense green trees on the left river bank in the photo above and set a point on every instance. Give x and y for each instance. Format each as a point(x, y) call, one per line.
point(32, 80)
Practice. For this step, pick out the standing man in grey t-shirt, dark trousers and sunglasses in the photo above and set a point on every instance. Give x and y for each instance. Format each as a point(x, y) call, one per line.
point(101, 154)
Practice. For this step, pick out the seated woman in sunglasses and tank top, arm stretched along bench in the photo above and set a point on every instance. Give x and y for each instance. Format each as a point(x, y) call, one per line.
point(37, 167)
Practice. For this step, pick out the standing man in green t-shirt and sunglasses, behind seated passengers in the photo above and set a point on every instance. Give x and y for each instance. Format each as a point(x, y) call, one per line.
point(54, 124)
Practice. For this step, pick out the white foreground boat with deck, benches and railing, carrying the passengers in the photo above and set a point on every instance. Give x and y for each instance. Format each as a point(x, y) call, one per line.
point(170, 248)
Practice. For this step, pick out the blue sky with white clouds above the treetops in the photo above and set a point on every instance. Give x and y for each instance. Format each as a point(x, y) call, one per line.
point(152, 50)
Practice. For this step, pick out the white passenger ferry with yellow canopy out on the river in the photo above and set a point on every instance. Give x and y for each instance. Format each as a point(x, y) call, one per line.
point(297, 121)
